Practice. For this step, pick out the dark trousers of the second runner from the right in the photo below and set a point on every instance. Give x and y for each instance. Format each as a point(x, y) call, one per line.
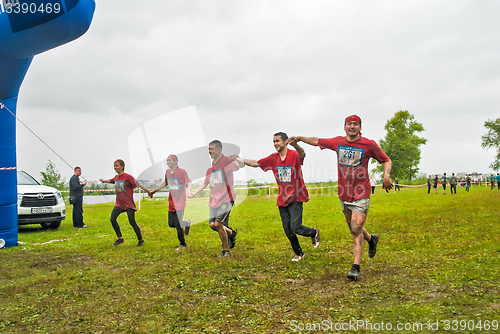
point(291, 217)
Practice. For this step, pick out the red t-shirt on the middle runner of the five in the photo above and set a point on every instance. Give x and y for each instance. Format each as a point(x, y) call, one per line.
point(220, 177)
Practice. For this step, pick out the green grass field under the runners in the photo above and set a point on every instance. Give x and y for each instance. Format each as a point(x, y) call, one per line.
point(437, 262)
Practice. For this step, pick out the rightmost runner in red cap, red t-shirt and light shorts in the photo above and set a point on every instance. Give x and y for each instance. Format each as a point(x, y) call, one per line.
point(353, 154)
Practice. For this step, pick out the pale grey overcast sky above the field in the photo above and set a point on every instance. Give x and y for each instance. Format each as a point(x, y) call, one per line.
point(252, 68)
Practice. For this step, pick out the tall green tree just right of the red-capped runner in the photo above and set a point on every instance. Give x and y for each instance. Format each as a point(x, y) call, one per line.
point(402, 145)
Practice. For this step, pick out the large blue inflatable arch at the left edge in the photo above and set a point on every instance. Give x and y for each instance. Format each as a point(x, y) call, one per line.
point(27, 28)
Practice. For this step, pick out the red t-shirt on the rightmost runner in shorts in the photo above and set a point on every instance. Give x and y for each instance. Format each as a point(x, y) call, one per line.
point(353, 158)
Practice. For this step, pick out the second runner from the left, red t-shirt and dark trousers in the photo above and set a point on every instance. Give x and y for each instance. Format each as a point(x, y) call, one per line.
point(177, 180)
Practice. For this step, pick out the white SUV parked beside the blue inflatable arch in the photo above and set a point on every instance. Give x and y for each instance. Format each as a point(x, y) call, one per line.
point(38, 204)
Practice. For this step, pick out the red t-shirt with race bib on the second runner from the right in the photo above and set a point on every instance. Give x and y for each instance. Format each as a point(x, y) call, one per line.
point(288, 174)
